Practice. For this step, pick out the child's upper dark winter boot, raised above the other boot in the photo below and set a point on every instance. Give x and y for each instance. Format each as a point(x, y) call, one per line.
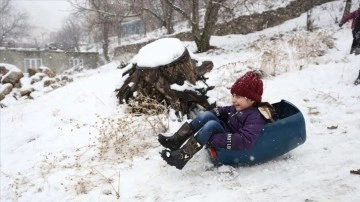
point(174, 142)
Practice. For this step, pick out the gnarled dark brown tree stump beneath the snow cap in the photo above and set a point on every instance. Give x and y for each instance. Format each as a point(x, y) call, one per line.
point(173, 84)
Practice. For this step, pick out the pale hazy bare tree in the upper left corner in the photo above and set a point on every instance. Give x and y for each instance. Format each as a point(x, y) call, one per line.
point(13, 23)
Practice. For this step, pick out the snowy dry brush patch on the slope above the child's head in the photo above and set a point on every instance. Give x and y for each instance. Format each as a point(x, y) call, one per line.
point(296, 47)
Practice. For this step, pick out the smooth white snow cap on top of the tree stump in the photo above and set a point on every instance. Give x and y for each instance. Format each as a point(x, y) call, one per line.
point(160, 52)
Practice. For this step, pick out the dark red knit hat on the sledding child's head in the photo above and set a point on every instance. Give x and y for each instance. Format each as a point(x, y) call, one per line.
point(249, 85)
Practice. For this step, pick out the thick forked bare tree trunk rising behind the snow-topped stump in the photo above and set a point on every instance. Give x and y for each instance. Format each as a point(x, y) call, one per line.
point(201, 32)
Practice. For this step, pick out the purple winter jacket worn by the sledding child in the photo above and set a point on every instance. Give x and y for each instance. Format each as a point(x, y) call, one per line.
point(244, 127)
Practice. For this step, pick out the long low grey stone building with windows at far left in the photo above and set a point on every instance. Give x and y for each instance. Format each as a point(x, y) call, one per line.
point(58, 61)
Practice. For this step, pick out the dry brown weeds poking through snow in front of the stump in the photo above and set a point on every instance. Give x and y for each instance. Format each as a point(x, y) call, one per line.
point(132, 134)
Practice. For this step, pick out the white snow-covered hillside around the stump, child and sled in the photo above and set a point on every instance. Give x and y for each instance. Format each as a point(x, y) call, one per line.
point(77, 143)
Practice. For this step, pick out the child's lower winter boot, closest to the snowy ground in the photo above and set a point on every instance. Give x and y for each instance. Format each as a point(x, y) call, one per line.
point(180, 157)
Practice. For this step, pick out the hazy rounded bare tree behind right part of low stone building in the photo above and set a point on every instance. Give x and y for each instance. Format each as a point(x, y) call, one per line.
point(70, 34)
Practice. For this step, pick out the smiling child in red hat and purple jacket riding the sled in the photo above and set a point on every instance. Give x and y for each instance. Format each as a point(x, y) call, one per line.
point(235, 127)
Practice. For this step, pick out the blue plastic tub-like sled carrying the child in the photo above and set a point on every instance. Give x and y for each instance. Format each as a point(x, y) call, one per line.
point(279, 137)
